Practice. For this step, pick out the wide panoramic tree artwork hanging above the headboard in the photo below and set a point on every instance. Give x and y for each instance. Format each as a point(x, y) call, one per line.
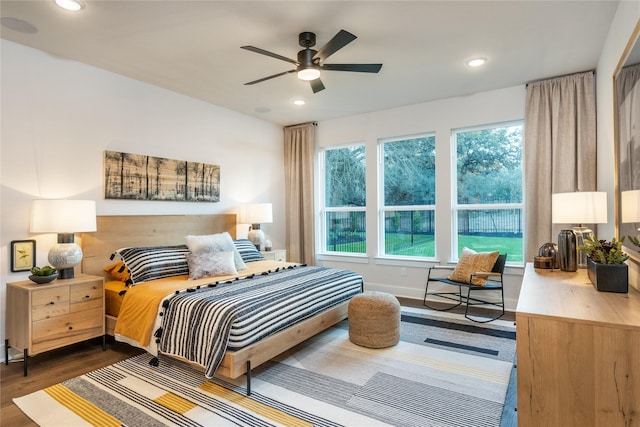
point(140, 177)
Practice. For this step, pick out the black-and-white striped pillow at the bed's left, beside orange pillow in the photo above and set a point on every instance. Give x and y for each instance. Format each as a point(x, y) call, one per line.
point(156, 262)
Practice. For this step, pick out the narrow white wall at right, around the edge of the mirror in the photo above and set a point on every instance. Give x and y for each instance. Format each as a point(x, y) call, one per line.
point(622, 27)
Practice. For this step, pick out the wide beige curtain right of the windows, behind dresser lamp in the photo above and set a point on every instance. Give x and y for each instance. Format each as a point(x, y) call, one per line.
point(560, 149)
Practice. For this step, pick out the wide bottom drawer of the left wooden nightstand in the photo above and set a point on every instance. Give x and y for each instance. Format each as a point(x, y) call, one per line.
point(67, 329)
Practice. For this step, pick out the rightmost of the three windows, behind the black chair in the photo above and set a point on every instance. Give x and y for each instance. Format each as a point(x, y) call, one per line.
point(488, 204)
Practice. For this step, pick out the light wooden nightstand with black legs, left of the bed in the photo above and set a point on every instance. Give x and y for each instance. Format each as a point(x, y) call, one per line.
point(45, 317)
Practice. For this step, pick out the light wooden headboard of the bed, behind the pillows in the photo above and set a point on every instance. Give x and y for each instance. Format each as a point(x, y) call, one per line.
point(114, 232)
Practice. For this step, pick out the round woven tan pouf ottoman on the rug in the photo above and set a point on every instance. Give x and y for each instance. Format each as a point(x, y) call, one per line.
point(374, 320)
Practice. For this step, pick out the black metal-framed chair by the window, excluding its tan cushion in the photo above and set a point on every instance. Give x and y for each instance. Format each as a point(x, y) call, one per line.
point(494, 283)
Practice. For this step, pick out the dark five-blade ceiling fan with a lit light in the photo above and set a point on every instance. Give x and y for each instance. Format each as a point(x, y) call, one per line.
point(310, 61)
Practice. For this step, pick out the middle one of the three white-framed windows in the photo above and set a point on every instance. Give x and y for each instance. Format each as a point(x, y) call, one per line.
point(408, 201)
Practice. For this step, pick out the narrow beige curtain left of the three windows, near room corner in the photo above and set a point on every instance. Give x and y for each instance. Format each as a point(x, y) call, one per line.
point(299, 149)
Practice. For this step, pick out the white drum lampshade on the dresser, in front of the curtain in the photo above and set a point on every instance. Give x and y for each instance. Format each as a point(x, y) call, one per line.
point(582, 207)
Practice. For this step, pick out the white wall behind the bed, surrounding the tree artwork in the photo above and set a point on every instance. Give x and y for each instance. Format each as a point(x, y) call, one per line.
point(58, 116)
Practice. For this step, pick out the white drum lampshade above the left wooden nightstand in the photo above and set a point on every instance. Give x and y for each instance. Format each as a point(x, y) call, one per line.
point(63, 216)
